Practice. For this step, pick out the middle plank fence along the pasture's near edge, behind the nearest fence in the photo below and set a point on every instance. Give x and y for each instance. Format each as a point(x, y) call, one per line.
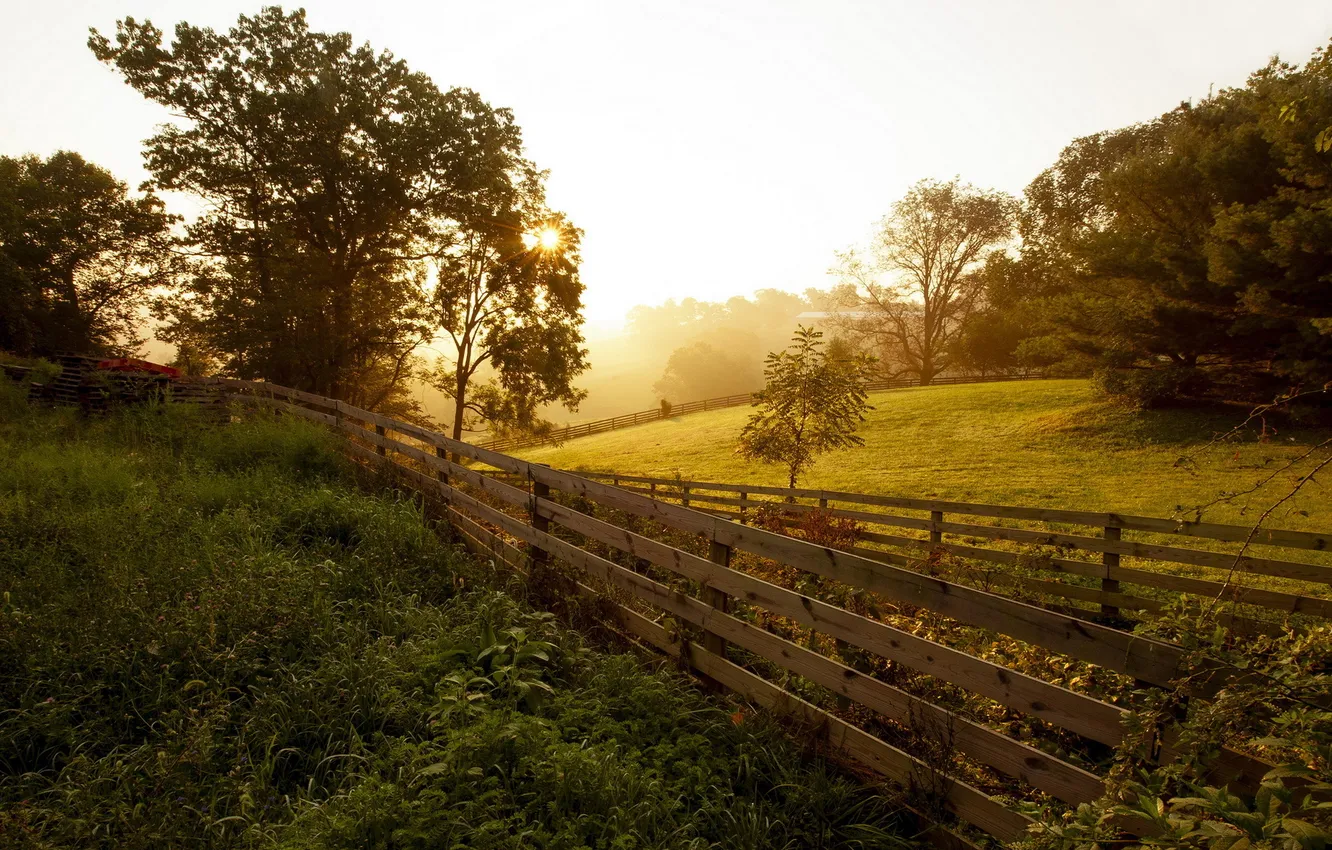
point(1057, 534)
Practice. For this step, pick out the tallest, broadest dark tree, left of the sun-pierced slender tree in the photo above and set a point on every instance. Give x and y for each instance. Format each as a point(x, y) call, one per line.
point(327, 170)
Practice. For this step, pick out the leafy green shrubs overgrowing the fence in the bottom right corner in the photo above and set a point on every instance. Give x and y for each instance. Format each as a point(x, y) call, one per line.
point(1277, 709)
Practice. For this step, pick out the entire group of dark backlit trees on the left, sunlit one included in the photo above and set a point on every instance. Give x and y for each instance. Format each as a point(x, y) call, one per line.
point(354, 215)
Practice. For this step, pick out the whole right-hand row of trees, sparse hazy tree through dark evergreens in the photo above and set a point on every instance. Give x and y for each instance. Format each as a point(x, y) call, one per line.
point(1190, 255)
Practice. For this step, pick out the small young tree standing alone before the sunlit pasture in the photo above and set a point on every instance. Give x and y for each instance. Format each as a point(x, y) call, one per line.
point(811, 406)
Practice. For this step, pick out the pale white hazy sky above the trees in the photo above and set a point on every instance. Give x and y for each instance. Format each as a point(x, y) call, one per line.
point(716, 149)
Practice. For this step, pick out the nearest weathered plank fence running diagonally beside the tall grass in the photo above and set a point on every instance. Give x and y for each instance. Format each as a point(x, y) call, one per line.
point(552, 515)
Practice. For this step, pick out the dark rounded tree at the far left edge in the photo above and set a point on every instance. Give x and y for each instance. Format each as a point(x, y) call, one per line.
point(79, 256)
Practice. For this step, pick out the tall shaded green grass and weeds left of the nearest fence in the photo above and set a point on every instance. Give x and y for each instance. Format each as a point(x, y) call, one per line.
point(208, 639)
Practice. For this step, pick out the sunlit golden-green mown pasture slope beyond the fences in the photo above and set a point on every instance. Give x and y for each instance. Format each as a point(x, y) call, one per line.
point(1041, 443)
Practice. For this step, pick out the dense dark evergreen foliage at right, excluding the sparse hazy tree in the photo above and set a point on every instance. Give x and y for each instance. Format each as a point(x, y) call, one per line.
point(1191, 242)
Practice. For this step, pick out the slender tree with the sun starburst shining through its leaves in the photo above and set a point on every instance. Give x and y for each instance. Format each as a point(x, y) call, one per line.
point(509, 298)
